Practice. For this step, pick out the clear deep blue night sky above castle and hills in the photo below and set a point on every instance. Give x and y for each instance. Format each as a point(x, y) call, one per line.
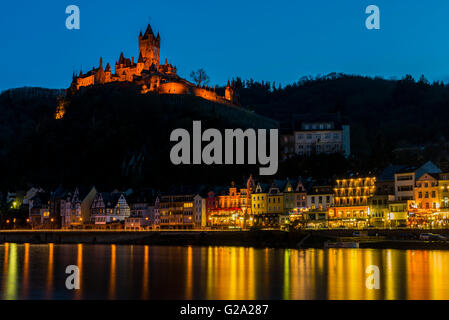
point(265, 40)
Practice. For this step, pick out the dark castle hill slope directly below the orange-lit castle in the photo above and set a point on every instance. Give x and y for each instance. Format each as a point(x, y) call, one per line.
point(112, 136)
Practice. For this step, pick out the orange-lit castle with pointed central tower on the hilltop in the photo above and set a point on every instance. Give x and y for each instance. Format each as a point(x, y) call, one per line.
point(149, 74)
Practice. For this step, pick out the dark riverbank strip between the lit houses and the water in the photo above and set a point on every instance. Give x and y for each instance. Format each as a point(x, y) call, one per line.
point(377, 239)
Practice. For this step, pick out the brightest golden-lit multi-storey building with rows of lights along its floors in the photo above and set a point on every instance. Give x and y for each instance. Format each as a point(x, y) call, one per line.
point(351, 202)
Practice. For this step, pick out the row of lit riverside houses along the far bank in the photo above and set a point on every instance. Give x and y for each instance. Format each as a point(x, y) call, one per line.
point(399, 196)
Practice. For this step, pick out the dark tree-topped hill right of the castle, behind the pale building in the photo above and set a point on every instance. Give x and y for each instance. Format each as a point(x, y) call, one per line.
point(384, 114)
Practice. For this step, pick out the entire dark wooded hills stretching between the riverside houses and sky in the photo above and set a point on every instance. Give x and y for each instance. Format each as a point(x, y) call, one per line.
point(113, 137)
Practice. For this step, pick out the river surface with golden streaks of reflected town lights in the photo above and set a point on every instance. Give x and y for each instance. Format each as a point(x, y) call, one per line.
point(123, 272)
